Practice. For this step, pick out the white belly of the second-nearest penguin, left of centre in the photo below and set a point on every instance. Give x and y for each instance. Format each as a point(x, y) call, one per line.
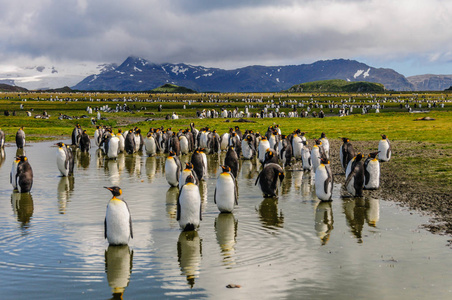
point(190, 205)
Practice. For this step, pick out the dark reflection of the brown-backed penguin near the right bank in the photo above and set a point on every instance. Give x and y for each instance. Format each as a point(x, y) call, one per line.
point(354, 210)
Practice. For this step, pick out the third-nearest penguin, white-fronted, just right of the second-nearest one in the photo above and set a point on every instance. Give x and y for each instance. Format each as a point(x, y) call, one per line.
point(225, 196)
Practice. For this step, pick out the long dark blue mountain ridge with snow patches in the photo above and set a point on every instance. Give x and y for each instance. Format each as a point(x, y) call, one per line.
point(137, 74)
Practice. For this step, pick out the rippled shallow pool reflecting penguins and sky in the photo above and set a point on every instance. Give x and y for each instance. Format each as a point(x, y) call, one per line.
point(52, 244)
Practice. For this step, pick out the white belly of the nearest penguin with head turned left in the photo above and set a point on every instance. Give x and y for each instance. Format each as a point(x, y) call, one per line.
point(118, 223)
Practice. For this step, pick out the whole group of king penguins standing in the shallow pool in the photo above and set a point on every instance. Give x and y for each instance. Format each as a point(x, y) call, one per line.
point(273, 150)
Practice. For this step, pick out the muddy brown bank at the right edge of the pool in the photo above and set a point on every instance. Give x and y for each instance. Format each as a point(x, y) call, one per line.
point(406, 179)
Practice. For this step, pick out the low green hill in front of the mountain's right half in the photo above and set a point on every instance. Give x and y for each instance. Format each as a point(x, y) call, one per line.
point(337, 85)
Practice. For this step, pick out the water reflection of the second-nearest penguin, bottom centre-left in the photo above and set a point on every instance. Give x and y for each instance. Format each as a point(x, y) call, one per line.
point(189, 255)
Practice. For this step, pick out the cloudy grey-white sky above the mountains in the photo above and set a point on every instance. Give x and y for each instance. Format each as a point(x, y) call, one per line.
point(411, 36)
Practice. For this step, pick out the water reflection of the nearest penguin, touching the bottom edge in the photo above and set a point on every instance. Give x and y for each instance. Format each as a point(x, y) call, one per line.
point(118, 266)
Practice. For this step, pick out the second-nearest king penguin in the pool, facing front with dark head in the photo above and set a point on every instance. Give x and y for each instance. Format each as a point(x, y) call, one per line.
point(189, 205)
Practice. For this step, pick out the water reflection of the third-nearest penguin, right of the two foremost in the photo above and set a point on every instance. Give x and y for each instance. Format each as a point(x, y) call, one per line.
point(226, 231)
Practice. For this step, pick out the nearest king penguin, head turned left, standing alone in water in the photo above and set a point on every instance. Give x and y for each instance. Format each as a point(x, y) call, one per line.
point(118, 221)
